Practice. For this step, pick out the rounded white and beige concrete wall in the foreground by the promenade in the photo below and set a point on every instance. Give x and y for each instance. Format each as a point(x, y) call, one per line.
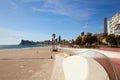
point(81, 68)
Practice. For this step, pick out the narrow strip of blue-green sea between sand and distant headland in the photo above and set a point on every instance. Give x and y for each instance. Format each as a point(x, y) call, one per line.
point(4, 47)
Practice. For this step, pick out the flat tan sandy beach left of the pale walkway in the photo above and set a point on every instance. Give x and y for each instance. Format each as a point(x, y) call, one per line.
point(26, 64)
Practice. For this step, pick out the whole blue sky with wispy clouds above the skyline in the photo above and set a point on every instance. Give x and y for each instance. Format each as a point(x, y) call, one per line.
point(37, 20)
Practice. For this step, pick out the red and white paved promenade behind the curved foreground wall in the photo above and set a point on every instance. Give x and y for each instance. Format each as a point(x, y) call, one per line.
point(112, 54)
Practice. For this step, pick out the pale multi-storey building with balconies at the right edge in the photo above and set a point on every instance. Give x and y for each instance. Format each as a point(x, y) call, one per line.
point(114, 24)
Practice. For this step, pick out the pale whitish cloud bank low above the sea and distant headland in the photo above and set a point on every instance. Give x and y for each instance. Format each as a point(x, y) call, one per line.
point(10, 36)
